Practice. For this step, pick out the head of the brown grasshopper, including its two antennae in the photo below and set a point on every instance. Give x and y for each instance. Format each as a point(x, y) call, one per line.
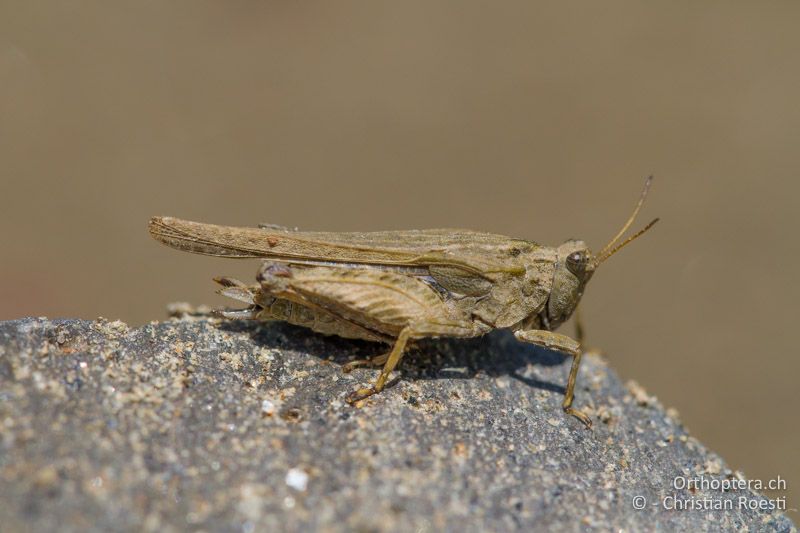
point(576, 265)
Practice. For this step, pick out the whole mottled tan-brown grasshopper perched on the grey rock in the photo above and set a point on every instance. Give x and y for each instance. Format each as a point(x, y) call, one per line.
point(395, 286)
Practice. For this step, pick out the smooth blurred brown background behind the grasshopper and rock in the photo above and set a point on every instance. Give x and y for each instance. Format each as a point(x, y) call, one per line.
point(528, 119)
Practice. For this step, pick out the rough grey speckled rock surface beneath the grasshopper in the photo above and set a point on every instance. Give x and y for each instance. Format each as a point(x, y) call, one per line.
point(194, 423)
